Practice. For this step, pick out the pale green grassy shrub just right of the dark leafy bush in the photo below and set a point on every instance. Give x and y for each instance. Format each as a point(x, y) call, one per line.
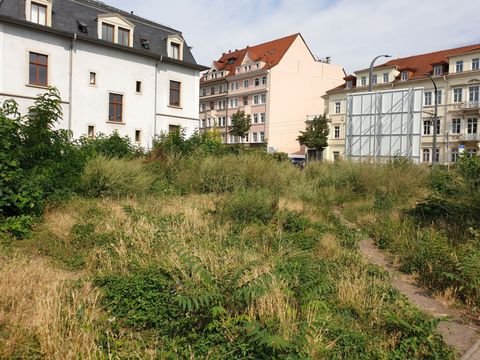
point(115, 177)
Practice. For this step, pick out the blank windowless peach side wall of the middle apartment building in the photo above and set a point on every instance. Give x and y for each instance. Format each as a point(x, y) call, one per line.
point(296, 86)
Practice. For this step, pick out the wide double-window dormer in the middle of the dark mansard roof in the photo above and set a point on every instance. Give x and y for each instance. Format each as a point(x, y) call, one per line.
point(115, 29)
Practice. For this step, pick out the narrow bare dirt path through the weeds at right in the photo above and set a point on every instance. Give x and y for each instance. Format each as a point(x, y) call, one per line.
point(457, 332)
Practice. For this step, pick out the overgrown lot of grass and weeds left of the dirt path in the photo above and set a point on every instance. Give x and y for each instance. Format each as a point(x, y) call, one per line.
point(232, 256)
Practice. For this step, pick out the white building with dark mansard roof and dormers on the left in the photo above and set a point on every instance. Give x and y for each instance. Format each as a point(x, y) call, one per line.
point(115, 71)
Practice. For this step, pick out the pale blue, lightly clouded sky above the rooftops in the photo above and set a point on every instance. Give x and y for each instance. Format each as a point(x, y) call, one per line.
point(352, 32)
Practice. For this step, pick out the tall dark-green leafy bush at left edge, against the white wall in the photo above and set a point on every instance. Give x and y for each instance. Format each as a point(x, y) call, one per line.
point(38, 163)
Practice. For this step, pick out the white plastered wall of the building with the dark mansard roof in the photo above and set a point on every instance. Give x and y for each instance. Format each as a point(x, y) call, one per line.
point(116, 72)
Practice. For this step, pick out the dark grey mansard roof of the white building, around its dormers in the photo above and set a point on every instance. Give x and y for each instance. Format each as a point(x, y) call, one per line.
point(67, 14)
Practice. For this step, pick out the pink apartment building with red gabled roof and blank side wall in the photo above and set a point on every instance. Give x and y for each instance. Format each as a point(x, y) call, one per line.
point(278, 83)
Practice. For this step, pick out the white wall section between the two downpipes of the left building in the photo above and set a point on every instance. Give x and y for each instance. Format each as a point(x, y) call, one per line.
point(116, 72)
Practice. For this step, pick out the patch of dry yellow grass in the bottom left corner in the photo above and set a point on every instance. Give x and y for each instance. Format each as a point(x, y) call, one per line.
point(42, 315)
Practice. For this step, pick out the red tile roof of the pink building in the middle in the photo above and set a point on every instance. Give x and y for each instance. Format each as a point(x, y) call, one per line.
point(270, 52)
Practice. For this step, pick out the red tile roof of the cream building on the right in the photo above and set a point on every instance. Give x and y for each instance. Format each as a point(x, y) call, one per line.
point(421, 64)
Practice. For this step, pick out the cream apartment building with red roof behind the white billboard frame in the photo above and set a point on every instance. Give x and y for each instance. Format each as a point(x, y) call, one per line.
point(456, 73)
